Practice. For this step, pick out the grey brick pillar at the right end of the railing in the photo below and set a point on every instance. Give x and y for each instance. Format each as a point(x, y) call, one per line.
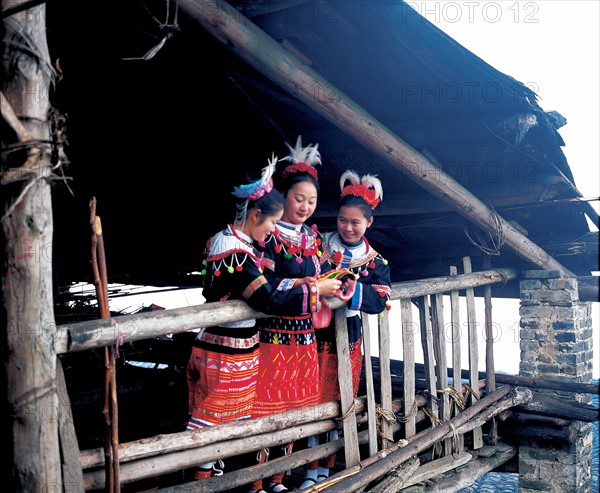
point(556, 343)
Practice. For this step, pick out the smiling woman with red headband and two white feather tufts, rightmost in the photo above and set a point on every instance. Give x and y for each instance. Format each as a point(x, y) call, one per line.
point(348, 248)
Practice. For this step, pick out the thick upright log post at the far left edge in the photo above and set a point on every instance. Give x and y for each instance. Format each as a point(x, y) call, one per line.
point(30, 358)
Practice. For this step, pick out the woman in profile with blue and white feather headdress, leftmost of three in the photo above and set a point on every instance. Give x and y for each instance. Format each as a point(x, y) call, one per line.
point(223, 367)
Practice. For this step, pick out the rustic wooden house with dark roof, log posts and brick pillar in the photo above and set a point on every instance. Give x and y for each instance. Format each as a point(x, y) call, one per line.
point(156, 108)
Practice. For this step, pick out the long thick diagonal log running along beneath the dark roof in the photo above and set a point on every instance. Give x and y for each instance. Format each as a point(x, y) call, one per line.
point(263, 53)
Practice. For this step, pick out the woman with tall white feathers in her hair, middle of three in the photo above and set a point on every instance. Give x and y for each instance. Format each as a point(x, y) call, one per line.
point(289, 372)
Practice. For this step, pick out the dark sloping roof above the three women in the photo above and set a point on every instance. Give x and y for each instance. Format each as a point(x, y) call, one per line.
point(161, 142)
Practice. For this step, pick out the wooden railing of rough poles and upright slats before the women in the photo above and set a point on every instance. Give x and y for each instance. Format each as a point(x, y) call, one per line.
point(382, 425)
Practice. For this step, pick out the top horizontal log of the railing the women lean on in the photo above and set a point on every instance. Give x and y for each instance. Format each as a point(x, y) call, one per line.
point(78, 336)
